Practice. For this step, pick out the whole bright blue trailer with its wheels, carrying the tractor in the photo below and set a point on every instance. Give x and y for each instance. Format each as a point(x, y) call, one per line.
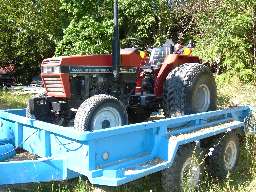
point(119, 155)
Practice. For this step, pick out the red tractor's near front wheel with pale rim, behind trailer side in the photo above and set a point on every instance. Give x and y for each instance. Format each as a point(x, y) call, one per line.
point(100, 112)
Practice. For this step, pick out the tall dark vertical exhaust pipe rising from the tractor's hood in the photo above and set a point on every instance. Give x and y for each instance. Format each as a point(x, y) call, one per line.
point(116, 44)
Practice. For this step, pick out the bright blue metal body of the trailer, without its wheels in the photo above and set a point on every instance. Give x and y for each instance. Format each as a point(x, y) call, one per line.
point(112, 156)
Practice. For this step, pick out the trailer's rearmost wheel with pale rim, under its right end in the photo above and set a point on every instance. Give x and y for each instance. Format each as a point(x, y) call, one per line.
point(225, 156)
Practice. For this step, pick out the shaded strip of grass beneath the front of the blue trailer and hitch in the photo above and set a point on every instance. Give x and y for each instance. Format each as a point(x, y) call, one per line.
point(147, 184)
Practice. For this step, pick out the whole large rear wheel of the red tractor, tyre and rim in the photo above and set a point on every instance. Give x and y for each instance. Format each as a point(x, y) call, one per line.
point(189, 88)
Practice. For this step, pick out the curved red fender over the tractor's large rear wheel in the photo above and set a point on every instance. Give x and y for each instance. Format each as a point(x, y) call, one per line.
point(170, 62)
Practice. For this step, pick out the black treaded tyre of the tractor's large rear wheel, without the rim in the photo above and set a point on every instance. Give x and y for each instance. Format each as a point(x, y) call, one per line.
point(178, 86)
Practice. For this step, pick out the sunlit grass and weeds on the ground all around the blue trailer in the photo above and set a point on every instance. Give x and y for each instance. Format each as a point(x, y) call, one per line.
point(230, 93)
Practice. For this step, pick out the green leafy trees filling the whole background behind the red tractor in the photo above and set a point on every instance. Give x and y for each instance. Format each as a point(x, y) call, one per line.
point(224, 30)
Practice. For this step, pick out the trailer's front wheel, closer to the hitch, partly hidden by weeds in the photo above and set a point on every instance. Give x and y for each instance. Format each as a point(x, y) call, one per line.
point(185, 172)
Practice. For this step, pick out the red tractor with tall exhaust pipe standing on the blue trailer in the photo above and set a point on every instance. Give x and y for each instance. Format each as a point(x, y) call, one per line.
point(101, 91)
